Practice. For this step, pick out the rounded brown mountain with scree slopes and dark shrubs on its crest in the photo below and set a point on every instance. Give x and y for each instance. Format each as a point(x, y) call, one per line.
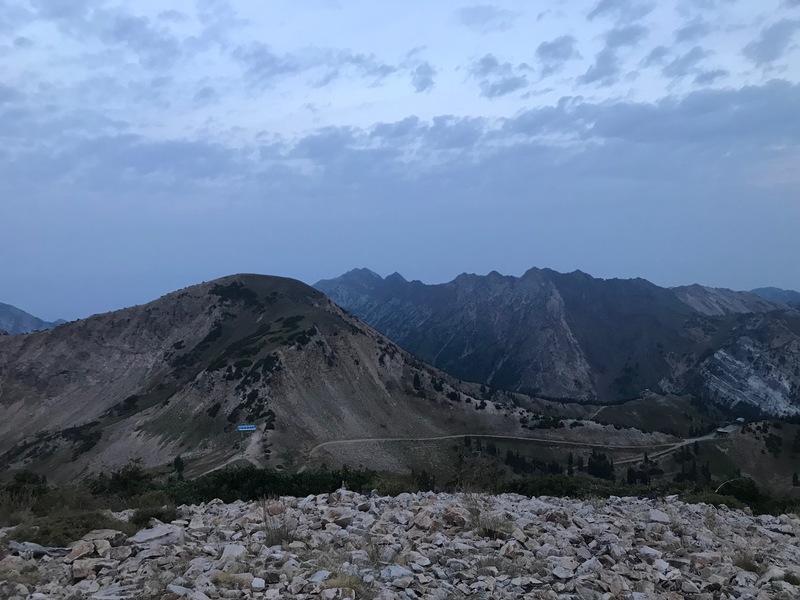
point(177, 375)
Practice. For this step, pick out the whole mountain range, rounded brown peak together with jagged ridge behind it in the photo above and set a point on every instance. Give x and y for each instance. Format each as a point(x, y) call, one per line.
point(538, 362)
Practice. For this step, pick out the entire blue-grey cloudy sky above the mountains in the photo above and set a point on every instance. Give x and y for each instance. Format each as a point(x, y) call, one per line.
point(150, 145)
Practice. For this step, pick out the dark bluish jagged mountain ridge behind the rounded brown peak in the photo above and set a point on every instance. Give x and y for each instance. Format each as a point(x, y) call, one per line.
point(577, 337)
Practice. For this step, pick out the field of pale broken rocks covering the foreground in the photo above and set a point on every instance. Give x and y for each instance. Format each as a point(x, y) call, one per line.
point(425, 545)
